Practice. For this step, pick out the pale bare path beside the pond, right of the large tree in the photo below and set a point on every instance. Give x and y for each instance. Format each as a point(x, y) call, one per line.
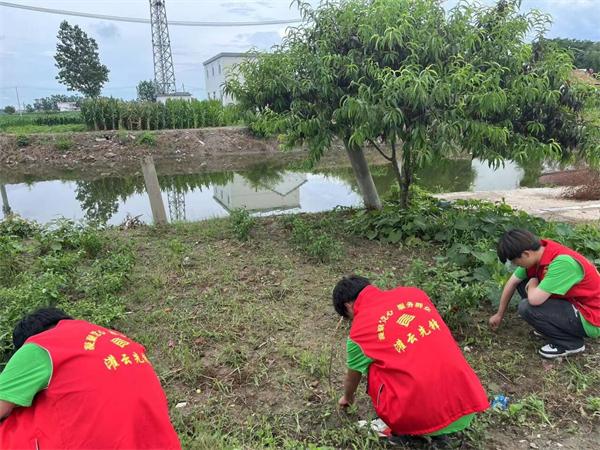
point(542, 202)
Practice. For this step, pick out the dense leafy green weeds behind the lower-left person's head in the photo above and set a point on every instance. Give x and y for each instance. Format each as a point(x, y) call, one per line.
point(64, 264)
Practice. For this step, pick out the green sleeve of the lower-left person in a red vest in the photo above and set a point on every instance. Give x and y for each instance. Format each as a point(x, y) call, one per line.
point(26, 373)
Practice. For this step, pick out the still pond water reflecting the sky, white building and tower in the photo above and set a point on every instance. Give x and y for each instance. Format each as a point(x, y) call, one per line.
point(261, 189)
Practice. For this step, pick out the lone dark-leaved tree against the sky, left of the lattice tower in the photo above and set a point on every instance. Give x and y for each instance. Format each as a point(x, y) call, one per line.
point(78, 63)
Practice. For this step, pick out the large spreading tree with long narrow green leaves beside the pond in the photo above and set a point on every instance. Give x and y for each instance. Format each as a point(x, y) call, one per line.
point(418, 83)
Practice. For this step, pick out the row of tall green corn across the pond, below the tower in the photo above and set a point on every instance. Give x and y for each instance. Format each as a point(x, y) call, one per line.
point(113, 114)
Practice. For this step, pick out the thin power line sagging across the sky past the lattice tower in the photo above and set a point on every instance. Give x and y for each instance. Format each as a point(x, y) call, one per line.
point(180, 23)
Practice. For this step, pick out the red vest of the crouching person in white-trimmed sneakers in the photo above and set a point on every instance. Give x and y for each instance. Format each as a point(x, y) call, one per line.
point(585, 295)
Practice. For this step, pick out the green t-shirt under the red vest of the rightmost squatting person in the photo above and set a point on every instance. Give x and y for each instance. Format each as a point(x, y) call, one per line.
point(564, 272)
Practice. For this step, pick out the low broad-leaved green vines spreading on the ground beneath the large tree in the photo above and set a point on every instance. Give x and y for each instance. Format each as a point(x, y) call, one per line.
point(467, 269)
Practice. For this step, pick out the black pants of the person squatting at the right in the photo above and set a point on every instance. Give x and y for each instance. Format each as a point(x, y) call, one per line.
point(557, 319)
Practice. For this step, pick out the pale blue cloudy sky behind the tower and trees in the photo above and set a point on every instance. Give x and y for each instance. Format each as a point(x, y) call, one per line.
point(28, 39)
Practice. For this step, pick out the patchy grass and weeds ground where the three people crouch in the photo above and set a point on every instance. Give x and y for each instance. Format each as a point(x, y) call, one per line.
point(245, 334)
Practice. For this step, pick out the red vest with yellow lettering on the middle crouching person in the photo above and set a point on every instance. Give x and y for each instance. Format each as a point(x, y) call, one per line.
point(419, 381)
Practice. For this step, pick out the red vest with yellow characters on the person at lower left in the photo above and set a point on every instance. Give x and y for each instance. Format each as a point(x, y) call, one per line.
point(103, 394)
